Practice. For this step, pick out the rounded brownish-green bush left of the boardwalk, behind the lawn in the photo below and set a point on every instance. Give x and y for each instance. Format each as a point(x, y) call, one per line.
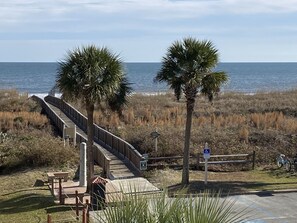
point(35, 149)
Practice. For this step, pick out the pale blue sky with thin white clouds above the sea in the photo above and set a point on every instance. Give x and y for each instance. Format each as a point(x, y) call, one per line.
point(142, 30)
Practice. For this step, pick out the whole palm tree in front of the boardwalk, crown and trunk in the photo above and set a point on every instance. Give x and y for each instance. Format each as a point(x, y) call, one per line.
point(92, 75)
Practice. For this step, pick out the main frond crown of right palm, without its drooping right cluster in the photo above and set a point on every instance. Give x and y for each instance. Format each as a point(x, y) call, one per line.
point(186, 63)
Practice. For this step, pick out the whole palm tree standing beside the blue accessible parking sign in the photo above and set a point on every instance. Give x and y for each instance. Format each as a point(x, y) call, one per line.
point(187, 68)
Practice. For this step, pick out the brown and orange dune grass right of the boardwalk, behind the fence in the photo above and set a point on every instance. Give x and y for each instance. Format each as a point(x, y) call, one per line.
point(233, 123)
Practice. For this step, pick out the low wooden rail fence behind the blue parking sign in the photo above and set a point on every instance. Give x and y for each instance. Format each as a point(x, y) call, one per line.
point(198, 160)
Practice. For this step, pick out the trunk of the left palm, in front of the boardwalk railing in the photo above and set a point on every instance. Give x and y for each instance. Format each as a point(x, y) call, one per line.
point(90, 142)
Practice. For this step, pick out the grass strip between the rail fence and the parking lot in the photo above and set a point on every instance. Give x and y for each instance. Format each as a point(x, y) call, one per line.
point(230, 182)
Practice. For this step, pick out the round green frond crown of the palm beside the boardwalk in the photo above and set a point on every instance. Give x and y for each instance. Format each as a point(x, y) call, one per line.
point(92, 73)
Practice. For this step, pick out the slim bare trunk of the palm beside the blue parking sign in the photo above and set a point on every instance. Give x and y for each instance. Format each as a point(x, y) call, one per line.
point(190, 109)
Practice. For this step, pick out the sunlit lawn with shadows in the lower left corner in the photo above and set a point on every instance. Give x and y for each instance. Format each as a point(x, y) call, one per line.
point(25, 198)
